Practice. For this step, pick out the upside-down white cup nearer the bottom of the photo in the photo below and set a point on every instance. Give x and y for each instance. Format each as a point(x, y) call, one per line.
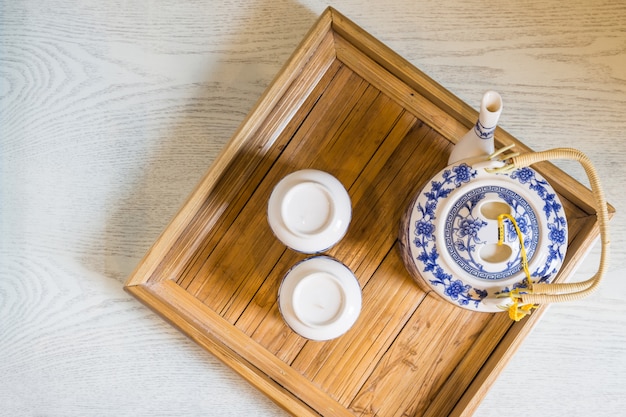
point(320, 298)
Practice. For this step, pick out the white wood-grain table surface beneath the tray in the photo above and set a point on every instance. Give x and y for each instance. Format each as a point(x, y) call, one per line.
point(110, 112)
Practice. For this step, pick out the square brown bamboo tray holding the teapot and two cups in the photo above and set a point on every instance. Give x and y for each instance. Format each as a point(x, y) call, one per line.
point(346, 104)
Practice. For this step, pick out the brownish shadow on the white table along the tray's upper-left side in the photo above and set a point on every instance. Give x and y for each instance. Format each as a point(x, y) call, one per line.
point(215, 105)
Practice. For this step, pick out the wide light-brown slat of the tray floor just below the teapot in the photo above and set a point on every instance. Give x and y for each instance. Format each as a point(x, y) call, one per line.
point(423, 354)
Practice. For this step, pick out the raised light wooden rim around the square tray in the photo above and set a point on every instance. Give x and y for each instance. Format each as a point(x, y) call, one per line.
point(152, 281)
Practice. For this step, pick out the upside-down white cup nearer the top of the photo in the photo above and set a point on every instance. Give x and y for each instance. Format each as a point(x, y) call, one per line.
point(309, 210)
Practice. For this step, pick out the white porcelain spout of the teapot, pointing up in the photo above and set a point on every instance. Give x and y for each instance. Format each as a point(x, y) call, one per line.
point(478, 142)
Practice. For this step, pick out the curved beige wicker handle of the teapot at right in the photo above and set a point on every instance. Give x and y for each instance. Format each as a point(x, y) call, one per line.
point(551, 293)
